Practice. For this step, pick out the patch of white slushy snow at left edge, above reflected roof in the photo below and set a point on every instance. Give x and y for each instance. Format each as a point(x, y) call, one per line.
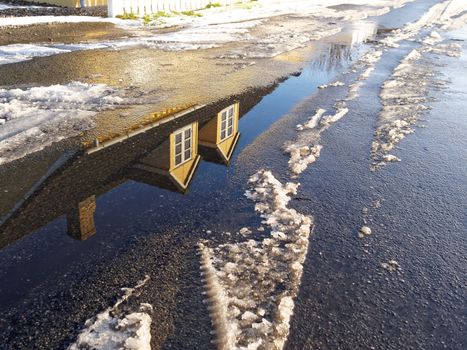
point(34, 118)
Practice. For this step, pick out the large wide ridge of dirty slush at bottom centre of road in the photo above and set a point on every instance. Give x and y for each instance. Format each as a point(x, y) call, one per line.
point(251, 285)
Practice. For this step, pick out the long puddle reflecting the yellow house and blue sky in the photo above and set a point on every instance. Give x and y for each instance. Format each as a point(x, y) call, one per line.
point(92, 196)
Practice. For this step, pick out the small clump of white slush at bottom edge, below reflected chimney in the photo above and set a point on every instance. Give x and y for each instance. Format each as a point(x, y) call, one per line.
point(113, 329)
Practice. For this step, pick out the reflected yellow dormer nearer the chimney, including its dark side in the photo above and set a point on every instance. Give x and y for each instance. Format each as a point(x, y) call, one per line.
point(173, 163)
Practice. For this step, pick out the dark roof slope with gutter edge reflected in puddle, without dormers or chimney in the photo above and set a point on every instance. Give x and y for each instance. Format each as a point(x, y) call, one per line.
point(83, 175)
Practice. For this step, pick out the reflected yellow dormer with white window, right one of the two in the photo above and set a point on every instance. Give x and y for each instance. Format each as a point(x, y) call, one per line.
point(218, 138)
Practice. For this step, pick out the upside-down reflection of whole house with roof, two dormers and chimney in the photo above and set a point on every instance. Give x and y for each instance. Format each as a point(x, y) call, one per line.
point(165, 155)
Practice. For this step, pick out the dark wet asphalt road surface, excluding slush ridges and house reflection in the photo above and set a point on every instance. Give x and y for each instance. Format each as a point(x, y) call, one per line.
point(346, 299)
